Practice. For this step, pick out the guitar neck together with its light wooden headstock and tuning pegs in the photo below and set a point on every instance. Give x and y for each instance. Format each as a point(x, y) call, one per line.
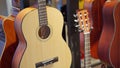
point(85, 27)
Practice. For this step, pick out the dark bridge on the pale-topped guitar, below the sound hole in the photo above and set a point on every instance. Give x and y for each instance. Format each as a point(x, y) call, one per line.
point(46, 62)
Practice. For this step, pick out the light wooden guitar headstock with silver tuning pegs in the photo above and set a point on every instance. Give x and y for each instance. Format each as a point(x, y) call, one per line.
point(83, 21)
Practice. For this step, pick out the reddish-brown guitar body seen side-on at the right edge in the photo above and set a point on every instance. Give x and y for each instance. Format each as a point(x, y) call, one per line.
point(109, 45)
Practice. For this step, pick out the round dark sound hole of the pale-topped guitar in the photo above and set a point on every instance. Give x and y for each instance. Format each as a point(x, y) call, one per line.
point(44, 32)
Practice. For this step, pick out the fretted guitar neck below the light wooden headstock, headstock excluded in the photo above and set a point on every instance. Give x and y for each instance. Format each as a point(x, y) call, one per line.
point(87, 59)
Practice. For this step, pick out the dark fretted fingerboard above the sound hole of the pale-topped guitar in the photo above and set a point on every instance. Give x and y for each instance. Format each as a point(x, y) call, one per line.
point(42, 12)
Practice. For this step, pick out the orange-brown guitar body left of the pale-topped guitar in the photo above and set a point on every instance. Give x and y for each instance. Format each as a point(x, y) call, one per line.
point(11, 42)
